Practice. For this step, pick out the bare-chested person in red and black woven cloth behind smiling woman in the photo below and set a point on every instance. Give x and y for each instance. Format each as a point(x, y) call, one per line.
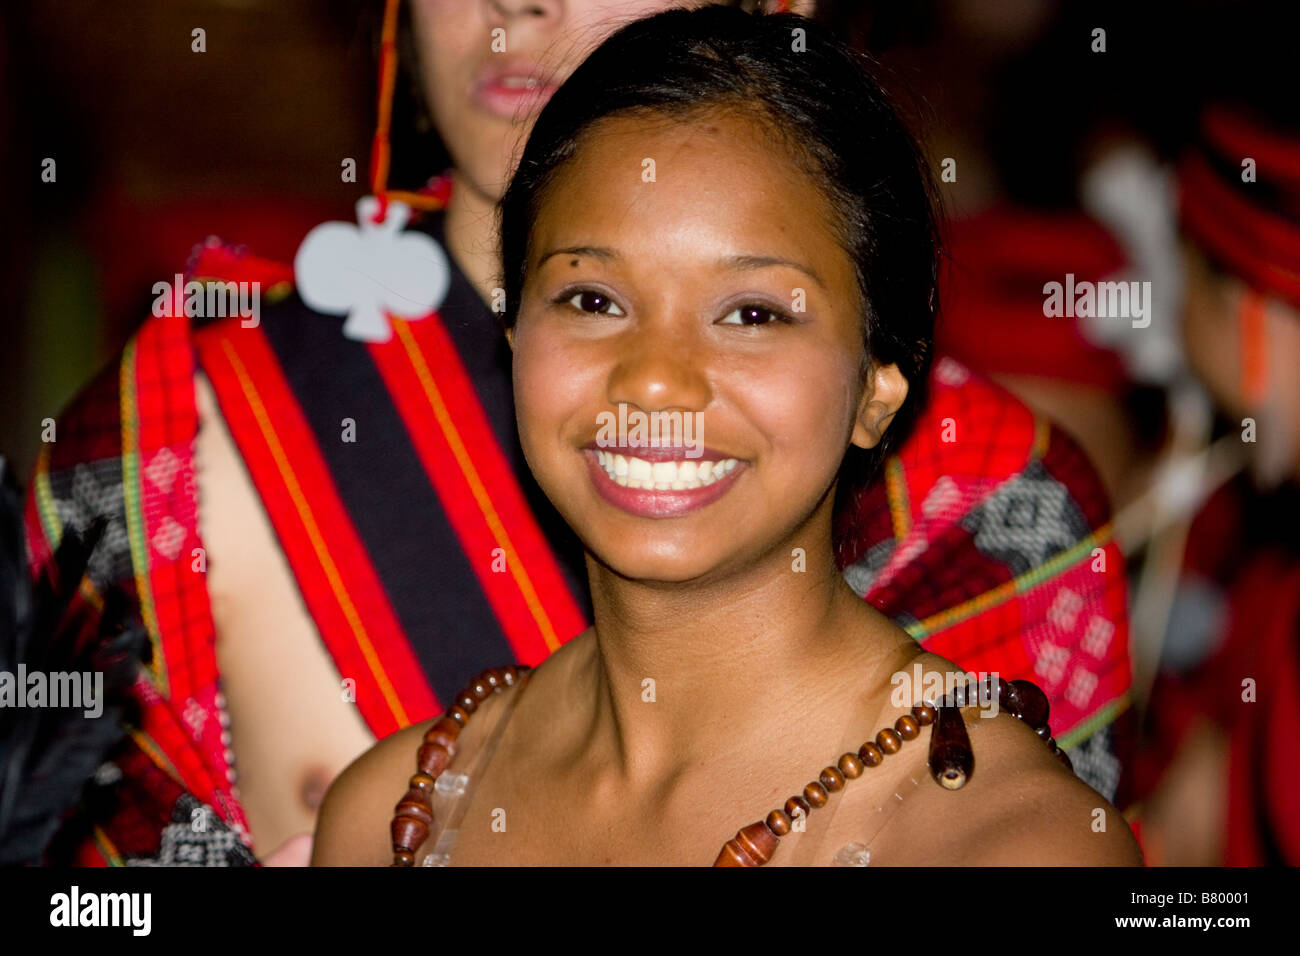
point(306, 592)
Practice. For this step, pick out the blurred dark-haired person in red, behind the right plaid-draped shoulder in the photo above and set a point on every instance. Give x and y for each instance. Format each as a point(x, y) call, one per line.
point(1042, 127)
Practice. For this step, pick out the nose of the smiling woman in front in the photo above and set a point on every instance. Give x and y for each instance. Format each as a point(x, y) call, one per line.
point(656, 373)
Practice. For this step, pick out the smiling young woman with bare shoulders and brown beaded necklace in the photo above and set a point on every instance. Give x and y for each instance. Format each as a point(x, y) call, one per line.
point(721, 674)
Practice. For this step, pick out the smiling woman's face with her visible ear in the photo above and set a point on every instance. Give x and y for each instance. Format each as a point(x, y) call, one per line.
point(668, 269)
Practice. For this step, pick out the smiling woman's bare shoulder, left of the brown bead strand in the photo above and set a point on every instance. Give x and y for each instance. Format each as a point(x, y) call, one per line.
point(353, 827)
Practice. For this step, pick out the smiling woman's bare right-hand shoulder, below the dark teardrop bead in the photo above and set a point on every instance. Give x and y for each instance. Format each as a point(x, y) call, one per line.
point(1021, 807)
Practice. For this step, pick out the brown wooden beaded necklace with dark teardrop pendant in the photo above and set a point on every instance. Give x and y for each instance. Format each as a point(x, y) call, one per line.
point(951, 762)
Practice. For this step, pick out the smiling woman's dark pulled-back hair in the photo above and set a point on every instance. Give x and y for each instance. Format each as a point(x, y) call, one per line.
point(834, 118)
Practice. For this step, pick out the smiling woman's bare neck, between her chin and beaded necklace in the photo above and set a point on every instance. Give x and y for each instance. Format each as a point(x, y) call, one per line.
point(765, 655)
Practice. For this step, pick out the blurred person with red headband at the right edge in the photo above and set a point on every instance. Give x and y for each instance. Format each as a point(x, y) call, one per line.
point(1217, 776)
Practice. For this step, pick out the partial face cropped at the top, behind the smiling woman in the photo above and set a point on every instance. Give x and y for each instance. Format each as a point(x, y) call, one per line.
point(484, 98)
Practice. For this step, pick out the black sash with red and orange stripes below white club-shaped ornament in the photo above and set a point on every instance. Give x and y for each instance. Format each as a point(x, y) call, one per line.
point(396, 483)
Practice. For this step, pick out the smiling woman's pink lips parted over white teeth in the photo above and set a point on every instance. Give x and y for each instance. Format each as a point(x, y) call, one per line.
point(660, 482)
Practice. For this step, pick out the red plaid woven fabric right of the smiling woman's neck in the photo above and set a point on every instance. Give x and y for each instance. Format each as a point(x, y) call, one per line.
point(989, 539)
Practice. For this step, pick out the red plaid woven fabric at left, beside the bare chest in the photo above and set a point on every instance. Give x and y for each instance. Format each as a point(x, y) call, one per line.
point(125, 451)
